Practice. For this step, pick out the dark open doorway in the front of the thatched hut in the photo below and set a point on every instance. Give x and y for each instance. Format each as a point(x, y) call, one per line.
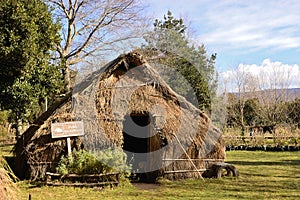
point(138, 142)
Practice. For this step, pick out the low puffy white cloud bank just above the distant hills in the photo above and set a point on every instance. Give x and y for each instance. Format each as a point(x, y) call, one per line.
point(266, 75)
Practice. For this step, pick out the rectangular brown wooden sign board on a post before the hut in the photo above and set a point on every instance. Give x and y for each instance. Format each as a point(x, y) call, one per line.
point(67, 129)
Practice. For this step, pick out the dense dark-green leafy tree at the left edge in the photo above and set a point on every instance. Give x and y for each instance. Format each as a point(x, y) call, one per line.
point(27, 77)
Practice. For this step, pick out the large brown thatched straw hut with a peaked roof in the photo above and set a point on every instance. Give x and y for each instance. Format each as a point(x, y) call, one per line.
point(126, 104)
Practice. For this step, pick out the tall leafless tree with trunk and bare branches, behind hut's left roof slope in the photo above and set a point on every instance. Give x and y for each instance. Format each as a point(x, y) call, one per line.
point(89, 26)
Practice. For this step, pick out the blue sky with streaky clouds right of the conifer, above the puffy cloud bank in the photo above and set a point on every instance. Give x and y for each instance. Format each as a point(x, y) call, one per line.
point(241, 32)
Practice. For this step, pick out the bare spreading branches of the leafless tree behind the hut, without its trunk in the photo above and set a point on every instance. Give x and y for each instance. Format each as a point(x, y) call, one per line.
point(88, 18)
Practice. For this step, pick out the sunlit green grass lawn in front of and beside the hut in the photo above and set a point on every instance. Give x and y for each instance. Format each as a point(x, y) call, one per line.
point(263, 175)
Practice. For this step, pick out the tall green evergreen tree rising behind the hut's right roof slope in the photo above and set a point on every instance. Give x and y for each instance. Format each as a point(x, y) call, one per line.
point(170, 42)
